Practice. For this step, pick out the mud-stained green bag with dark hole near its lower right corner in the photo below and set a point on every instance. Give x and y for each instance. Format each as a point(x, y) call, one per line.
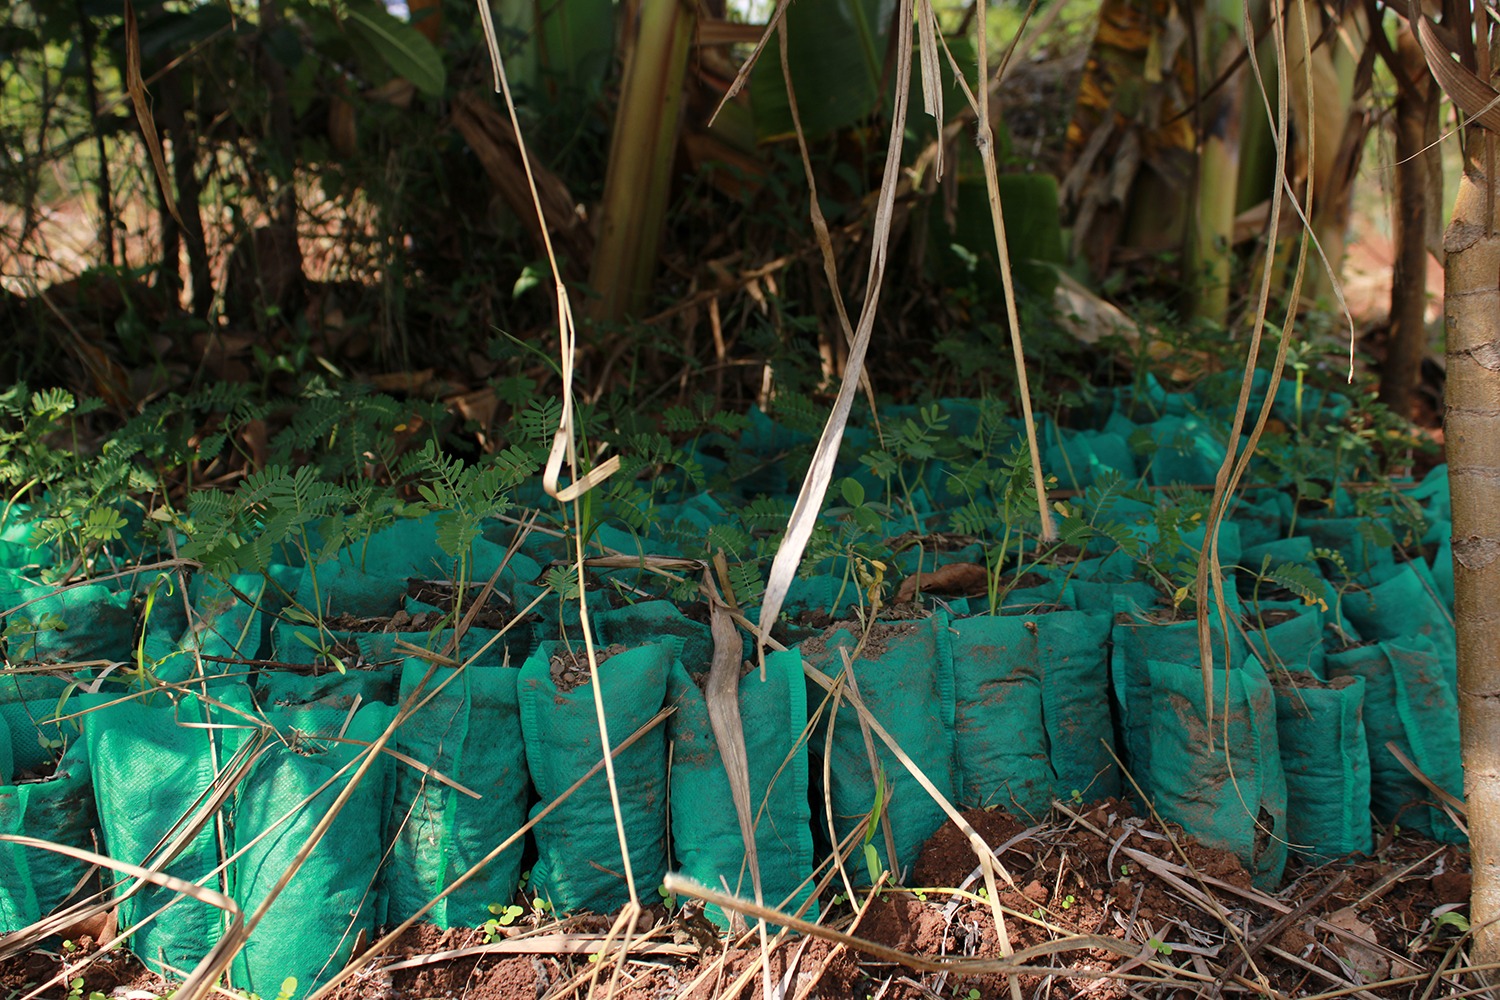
point(1235, 795)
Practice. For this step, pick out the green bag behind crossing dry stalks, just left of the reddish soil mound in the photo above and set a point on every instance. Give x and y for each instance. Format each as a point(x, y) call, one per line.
point(905, 680)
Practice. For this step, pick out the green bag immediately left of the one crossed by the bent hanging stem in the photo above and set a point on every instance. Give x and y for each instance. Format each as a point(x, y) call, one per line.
point(469, 732)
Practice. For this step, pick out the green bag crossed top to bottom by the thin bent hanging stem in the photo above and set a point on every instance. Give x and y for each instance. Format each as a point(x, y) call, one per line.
point(578, 851)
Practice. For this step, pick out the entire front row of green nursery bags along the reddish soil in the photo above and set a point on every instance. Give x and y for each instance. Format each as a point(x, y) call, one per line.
point(995, 711)
